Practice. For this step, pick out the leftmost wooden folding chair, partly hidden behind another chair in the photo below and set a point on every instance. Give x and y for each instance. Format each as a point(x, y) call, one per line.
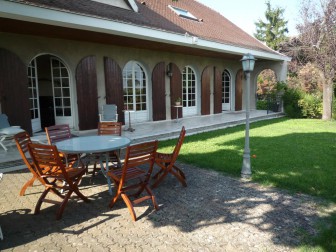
point(22, 140)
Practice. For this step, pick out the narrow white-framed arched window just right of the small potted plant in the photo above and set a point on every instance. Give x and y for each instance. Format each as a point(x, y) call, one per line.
point(188, 87)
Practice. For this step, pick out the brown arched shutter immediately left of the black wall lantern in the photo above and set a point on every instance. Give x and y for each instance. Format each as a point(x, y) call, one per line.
point(159, 97)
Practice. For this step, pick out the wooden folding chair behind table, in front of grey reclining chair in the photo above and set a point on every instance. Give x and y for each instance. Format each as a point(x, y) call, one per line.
point(108, 128)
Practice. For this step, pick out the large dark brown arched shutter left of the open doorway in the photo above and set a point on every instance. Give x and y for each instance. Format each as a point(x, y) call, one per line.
point(14, 96)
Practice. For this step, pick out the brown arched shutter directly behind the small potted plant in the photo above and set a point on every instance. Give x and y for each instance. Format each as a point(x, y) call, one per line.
point(175, 90)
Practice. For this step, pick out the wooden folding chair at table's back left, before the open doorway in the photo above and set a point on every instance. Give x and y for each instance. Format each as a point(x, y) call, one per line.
point(60, 132)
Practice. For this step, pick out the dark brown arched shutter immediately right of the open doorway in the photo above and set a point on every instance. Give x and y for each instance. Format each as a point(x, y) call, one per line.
point(87, 95)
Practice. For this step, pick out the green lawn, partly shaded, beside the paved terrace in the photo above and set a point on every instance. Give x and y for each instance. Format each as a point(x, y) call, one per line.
point(298, 155)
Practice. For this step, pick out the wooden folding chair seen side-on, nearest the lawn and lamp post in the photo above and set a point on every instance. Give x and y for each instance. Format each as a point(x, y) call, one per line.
point(166, 162)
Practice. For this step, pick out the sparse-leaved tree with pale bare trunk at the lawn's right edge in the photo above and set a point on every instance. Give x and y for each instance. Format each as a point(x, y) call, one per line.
point(318, 33)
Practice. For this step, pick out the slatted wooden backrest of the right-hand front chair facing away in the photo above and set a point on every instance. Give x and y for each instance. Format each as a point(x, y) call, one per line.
point(142, 154)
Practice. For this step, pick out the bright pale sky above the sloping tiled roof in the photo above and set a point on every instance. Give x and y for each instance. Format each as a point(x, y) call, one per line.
point(244, 13)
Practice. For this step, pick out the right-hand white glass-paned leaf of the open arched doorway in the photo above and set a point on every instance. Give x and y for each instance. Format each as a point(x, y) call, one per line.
point(61, 92)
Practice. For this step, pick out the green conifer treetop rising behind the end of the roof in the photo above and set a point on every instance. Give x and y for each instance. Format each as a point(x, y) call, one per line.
point(274, 30)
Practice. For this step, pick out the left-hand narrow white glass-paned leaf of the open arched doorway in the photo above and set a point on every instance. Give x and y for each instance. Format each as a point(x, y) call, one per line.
point(34, 96)
